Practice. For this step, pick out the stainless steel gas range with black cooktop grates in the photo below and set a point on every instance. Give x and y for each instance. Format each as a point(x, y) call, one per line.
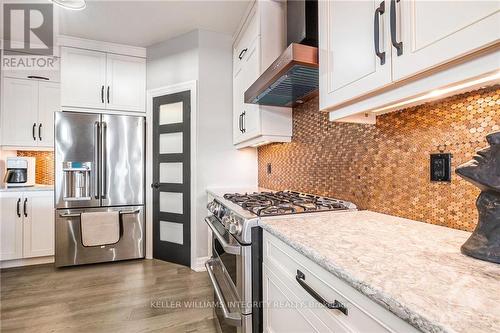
point(235, 268)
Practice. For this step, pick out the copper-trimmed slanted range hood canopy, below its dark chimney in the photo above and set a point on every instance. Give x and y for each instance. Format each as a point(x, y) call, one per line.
point(290, 80)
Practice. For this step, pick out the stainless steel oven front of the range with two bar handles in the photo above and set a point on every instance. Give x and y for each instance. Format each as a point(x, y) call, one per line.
point(230, 273)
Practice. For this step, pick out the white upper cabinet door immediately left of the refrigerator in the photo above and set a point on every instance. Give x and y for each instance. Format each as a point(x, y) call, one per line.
point(49, 98)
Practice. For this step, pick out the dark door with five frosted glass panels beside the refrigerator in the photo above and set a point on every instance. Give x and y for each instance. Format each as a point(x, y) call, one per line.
point(171, 178)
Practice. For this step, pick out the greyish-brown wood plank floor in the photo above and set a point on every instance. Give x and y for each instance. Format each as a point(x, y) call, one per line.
point(129, 296)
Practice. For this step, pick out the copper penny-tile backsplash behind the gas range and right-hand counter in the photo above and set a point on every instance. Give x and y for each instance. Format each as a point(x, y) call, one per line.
point(385, 167)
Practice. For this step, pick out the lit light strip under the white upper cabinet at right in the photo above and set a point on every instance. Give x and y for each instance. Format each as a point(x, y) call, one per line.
point(443, 92)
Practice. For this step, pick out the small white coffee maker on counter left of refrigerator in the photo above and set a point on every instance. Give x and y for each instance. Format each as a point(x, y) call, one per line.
point(20, 171)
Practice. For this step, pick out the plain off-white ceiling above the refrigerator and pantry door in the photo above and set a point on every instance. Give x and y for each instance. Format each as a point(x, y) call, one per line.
point(144, 23)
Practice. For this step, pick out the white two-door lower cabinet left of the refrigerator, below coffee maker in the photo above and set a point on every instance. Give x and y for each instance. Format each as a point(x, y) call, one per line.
point(27, 224)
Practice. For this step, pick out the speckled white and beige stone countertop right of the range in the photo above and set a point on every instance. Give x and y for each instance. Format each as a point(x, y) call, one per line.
point(413, 269)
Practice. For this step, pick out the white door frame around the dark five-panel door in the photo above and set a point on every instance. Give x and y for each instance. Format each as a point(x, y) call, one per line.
point(152, 93)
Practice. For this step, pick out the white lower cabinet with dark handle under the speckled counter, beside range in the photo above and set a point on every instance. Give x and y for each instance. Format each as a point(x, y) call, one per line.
point(290, 306)
